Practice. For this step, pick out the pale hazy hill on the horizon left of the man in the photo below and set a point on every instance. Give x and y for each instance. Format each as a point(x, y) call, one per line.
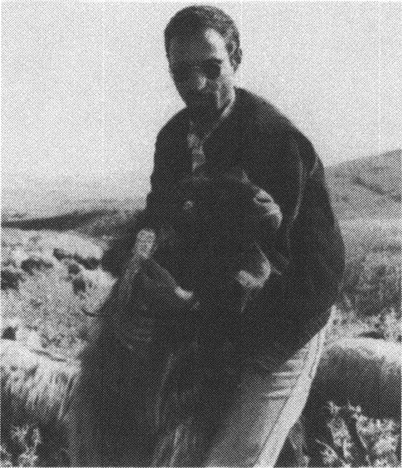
point(31, 201)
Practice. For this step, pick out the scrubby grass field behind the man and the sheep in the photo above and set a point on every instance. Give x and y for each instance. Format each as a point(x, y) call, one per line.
point(51, 279)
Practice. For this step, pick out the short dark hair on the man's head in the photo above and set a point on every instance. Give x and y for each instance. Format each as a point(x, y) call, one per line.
point(193, 19)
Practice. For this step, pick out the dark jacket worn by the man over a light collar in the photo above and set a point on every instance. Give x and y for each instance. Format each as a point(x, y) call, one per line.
point(294, 305)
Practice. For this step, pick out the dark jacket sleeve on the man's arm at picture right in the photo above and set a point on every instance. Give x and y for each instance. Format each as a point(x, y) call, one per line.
point(294, 304)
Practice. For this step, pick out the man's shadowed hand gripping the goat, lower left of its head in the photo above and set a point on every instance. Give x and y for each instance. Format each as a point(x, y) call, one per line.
point(159, 290)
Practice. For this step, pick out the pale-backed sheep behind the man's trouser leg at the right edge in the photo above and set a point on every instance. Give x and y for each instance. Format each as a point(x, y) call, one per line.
point(363, 372)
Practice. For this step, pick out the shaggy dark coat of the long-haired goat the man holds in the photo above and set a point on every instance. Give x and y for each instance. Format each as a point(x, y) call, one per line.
point(212, 251)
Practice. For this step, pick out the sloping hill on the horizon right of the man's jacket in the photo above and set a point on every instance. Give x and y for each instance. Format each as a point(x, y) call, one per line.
point(368, 187)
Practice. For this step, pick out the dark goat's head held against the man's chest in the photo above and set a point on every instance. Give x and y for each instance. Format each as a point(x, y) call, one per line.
point(216, 225)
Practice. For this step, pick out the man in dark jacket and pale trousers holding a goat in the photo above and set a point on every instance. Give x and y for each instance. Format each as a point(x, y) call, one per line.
point(283, 331)
